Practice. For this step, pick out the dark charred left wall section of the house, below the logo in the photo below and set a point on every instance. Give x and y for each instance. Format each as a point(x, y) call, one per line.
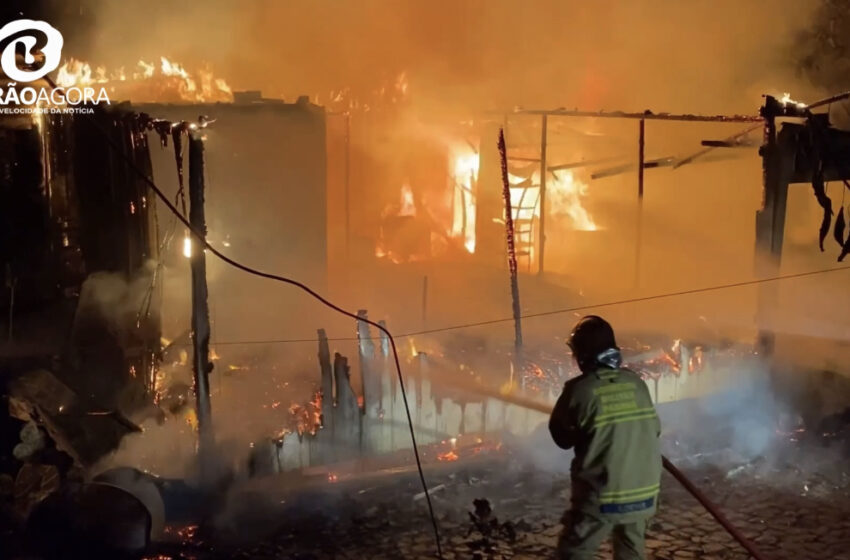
point(80, 323)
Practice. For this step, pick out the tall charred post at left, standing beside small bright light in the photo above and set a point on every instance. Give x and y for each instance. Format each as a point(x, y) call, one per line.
point(200, 309)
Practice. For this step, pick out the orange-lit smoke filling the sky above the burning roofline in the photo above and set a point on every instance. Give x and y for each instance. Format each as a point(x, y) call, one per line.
point(696, 56)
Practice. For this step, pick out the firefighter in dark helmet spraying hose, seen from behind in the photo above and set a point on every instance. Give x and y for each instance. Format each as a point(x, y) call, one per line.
point(606, 415)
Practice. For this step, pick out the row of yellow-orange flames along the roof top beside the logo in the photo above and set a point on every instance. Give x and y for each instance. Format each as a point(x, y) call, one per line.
point(168, 81)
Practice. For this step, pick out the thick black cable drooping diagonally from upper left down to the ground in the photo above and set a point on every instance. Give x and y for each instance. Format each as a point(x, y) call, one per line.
point(201, 238)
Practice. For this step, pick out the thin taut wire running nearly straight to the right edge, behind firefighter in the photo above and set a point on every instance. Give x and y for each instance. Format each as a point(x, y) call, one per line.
point(558, 311)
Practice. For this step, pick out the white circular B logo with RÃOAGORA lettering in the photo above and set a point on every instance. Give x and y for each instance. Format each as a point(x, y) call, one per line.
point(39, 100)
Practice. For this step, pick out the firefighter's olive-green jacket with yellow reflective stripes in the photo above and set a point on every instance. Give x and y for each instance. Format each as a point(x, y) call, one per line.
point(609, 418)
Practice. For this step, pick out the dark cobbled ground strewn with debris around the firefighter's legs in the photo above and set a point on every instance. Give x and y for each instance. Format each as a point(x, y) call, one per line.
point(505, 507)
